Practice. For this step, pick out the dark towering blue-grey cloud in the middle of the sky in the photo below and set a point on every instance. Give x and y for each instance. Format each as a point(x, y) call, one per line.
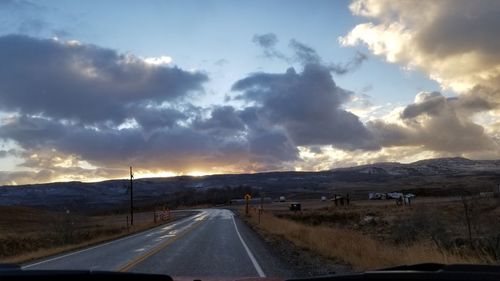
point(307, 106)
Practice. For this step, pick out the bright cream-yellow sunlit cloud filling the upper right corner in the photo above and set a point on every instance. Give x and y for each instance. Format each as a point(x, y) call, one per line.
point(454, 42)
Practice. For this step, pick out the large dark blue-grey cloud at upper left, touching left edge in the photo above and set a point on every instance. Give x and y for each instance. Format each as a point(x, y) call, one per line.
point(82, 82)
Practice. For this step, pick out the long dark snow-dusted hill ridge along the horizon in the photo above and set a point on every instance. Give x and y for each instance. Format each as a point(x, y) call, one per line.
point(439, 177)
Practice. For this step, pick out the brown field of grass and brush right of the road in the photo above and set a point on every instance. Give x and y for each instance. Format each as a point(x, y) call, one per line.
point(384, 235)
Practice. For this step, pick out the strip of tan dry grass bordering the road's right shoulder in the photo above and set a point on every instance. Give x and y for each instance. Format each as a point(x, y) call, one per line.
point(359, 250)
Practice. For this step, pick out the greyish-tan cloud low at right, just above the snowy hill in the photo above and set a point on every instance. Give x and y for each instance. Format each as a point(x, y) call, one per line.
point(436, 123)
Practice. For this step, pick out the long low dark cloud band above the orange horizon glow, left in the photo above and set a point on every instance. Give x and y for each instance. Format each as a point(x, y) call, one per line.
point(176, 149)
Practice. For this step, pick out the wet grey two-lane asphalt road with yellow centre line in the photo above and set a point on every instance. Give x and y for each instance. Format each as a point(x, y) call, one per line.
point(211, 243)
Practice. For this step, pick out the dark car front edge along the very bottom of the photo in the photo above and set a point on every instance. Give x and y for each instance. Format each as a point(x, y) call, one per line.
point(418, 272)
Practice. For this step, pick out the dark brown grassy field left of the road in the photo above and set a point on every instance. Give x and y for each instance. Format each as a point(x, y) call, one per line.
point(28, 233)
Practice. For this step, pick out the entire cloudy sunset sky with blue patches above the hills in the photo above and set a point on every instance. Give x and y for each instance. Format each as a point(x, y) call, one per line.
point(89, 88)
